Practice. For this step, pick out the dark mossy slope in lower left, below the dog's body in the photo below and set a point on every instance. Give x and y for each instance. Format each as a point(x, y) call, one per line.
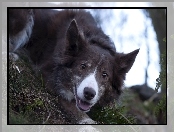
point(29, 102)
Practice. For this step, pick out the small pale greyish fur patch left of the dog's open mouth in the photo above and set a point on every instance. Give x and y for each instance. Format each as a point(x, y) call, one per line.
point(66, 94)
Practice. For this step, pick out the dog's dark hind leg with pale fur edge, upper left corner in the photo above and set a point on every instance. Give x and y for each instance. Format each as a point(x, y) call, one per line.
point(21, 22)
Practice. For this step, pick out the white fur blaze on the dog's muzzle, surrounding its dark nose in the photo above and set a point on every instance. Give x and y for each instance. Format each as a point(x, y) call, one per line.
point(89, 81)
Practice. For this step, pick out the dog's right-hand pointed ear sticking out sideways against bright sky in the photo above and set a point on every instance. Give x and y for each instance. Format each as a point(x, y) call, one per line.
point(127, 60)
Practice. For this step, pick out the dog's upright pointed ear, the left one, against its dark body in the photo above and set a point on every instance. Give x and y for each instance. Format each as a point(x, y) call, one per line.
point(73, 39)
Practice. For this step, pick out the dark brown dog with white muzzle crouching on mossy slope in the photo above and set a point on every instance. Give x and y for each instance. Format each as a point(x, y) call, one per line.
point(78, 61)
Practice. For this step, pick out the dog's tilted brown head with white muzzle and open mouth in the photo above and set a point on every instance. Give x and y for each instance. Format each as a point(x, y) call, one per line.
point(91, 70)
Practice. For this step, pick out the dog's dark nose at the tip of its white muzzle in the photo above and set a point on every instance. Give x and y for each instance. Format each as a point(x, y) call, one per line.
point(89, 93)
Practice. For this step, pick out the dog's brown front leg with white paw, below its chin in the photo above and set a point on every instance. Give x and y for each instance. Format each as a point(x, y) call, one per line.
point(77, 116)
